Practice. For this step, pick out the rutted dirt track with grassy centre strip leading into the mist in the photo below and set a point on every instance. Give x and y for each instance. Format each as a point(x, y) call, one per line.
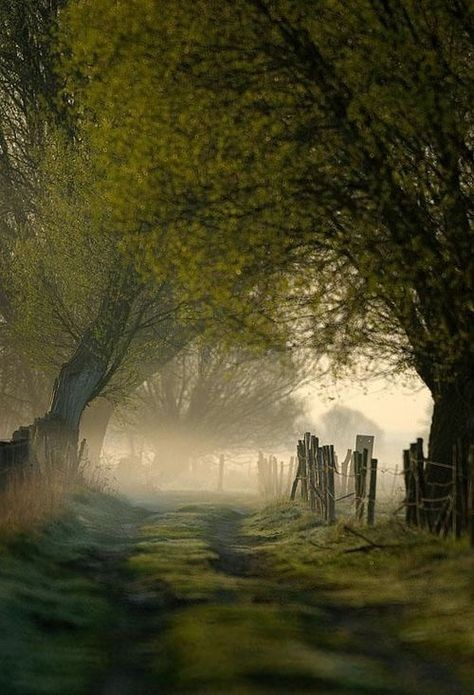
point(199, 610)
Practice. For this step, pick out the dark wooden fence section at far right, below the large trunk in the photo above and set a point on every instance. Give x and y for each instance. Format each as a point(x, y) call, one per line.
point(445, 506)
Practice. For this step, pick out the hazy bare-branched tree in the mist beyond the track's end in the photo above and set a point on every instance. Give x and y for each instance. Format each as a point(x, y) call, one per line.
point(211, 399)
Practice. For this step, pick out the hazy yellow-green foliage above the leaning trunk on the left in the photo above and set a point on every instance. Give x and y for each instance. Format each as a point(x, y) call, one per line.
point(61, 270)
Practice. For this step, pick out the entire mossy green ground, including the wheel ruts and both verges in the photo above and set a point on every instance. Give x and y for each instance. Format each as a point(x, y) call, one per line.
point(215, 598)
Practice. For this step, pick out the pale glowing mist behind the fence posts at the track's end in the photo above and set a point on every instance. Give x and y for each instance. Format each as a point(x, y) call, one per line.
point(182, 459)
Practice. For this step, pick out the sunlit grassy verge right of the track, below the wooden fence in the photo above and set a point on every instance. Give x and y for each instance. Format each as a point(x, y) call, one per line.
point(419, 589)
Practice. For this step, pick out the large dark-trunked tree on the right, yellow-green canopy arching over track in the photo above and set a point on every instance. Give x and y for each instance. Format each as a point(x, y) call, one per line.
point(331, 159)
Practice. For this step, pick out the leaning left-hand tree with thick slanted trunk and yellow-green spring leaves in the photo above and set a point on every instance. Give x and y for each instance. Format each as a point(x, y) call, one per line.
point(83, 312)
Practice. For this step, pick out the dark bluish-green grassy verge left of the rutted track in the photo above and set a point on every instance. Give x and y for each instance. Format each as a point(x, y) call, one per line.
point(54, 609)
